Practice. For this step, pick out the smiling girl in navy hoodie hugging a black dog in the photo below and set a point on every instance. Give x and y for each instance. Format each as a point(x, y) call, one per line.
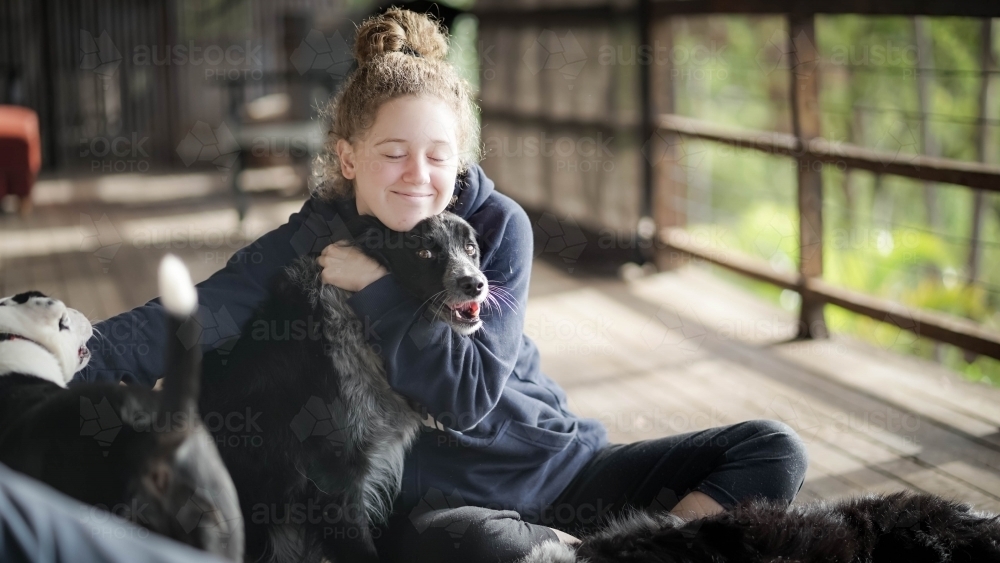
point(507, 465)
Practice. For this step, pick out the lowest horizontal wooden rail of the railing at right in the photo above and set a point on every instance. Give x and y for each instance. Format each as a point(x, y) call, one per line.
point(942, 327)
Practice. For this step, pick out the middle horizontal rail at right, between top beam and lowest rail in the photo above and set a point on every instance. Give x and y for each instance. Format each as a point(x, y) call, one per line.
point(942, 170)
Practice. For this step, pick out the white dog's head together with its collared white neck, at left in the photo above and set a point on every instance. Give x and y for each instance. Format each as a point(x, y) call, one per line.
point(43, 337)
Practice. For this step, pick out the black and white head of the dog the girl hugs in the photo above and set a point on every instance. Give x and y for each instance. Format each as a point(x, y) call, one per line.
point(437, 262)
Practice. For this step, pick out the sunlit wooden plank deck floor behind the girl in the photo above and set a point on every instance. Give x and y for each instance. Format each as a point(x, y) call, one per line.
point(669, 353)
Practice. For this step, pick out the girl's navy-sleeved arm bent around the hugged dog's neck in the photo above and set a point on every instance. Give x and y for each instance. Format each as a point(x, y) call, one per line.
point(458, 379)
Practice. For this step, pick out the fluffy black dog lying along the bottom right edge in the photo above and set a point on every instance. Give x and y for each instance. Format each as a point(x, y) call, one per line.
point(902, 527)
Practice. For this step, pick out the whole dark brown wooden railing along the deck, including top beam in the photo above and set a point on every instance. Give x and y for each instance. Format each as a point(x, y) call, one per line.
point(659, 124)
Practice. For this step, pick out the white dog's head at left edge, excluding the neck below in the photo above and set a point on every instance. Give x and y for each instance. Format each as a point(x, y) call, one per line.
point(47, 322)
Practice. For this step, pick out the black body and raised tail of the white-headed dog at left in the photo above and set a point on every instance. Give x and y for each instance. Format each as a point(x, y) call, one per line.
point(159, 469)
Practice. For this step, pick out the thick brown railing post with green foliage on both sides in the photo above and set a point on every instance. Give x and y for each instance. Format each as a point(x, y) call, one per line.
point(806, 126)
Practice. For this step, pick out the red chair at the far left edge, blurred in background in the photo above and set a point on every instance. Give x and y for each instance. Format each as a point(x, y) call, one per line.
point(20, 153)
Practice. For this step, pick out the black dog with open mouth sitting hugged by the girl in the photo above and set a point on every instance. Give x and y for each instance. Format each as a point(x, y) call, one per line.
point(335, 433)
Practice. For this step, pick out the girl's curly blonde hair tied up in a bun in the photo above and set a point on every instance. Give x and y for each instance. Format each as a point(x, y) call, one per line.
point(399, 53)
